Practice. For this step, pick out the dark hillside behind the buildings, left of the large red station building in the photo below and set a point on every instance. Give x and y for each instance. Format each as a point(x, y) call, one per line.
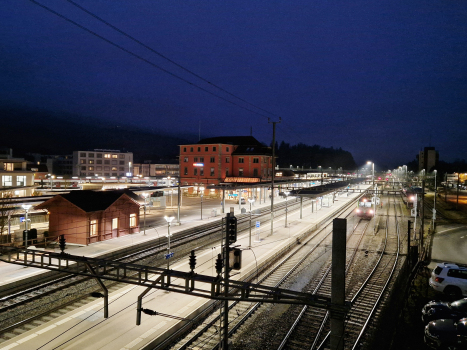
point(31, 131)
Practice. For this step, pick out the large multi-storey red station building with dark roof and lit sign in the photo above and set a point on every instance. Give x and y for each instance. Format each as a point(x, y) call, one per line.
point(226, 159)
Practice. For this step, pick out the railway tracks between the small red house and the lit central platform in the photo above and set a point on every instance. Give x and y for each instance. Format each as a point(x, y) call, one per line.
point(20, 309)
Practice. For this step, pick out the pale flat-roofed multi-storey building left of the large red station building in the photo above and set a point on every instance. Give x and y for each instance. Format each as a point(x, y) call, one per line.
point(102, 162)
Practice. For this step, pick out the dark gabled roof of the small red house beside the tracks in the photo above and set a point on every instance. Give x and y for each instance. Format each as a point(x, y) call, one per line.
point(90, 201)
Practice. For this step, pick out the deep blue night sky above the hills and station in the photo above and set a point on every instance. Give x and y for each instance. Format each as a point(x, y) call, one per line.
point(377, 78)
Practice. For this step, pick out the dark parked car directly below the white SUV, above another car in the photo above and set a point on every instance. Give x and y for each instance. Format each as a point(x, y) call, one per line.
point(436, 310)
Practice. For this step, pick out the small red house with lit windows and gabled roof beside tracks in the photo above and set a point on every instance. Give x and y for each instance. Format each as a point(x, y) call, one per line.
point(86, 217)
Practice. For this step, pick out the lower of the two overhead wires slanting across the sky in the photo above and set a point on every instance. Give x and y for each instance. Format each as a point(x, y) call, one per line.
point(141, 58)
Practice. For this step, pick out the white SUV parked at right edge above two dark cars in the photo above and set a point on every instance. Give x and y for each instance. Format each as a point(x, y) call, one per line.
point(451, 279)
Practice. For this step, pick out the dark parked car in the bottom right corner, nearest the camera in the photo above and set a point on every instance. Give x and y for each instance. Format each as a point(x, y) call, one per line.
point(446, 334)
